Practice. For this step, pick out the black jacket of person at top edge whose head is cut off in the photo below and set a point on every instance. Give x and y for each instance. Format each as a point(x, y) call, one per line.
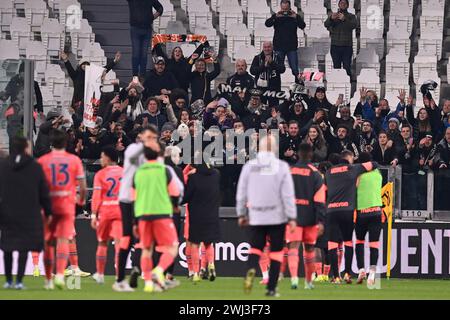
point(141, 12)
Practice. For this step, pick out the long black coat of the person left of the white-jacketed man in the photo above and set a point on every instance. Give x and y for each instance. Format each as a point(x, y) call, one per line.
point(202, 194)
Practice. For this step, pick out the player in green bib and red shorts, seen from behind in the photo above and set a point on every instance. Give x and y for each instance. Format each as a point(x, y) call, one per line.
point(156, 194)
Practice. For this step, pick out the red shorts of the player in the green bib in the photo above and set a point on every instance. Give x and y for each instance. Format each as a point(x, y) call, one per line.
point(161, 231)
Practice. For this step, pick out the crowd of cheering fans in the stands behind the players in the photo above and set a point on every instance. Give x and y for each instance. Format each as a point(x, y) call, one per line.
point(176, 97)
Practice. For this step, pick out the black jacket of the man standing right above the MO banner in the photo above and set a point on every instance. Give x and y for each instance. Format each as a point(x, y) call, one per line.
point(271, 72)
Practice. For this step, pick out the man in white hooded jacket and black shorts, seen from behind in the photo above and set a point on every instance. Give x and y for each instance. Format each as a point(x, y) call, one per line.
point(265, 201)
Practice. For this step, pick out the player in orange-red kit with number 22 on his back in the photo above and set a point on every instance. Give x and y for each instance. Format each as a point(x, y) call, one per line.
point(106, 217)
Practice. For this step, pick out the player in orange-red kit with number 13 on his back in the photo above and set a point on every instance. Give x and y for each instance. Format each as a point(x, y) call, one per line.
point(63, 172)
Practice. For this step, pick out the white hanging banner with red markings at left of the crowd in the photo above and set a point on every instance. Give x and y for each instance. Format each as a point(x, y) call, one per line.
point(92, 83)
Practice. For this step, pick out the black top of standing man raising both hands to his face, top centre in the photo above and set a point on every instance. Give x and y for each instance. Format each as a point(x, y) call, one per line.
point(285, 31)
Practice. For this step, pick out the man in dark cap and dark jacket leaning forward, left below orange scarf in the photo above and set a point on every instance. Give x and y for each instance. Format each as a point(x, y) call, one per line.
point(159, 81)
